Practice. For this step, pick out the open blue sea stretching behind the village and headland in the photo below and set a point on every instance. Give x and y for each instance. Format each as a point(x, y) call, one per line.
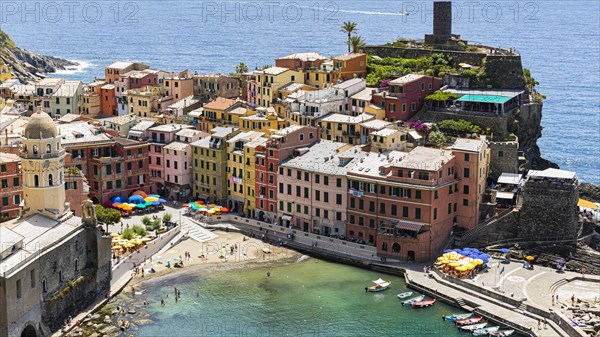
point(558, 40)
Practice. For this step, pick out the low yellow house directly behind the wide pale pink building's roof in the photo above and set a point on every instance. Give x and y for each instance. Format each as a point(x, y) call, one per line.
point(343, 128)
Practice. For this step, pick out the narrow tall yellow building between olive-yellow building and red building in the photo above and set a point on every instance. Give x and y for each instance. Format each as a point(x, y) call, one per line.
point(238, 174)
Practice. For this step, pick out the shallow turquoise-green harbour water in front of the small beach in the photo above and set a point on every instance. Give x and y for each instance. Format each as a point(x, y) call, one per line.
point(310, 298)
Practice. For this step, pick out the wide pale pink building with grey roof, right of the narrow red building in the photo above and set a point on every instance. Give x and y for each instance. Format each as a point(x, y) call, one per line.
point(313, 188)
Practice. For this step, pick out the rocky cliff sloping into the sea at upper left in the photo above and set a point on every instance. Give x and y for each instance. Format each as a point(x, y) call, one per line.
point(28, 66)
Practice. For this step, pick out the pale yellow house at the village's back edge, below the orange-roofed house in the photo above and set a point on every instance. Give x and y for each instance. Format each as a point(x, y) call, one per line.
point(269, 80)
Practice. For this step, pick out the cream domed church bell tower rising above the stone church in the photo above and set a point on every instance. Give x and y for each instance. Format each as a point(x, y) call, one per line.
point(42, 160)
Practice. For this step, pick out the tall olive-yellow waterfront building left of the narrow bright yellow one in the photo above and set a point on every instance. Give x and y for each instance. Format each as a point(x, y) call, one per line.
point(209, 166)
